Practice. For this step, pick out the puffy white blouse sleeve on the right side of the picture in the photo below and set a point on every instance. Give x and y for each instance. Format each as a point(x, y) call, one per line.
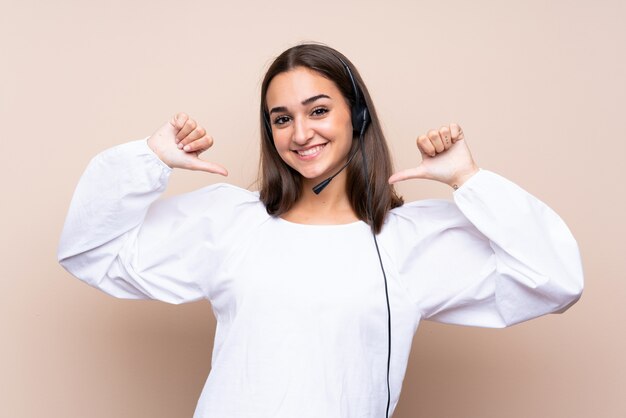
point(494, 257)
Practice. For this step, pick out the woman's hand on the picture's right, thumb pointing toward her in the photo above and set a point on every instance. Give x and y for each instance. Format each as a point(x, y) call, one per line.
point(445, 158)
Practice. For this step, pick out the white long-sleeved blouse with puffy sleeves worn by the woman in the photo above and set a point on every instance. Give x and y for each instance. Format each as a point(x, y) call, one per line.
point(301, 309)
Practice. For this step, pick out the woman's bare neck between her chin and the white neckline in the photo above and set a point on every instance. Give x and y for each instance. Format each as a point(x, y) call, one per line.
point(332, 206)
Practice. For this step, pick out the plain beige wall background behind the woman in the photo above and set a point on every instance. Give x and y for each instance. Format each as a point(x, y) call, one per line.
point(539, 88)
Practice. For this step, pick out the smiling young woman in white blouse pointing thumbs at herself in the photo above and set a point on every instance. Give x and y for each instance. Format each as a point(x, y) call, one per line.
point(317, 295)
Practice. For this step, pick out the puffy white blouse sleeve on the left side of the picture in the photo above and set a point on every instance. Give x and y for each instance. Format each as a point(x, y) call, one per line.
point(120, 238)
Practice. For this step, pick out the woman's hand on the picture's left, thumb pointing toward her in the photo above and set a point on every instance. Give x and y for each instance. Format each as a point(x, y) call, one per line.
point(180, 141)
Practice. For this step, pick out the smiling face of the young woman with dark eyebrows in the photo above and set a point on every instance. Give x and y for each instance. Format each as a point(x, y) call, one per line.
point(311, 123)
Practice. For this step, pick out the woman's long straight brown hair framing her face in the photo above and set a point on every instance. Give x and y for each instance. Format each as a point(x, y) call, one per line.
point(281, 185)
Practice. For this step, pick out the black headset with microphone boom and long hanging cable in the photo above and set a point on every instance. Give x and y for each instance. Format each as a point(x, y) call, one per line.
point(360, 121)
